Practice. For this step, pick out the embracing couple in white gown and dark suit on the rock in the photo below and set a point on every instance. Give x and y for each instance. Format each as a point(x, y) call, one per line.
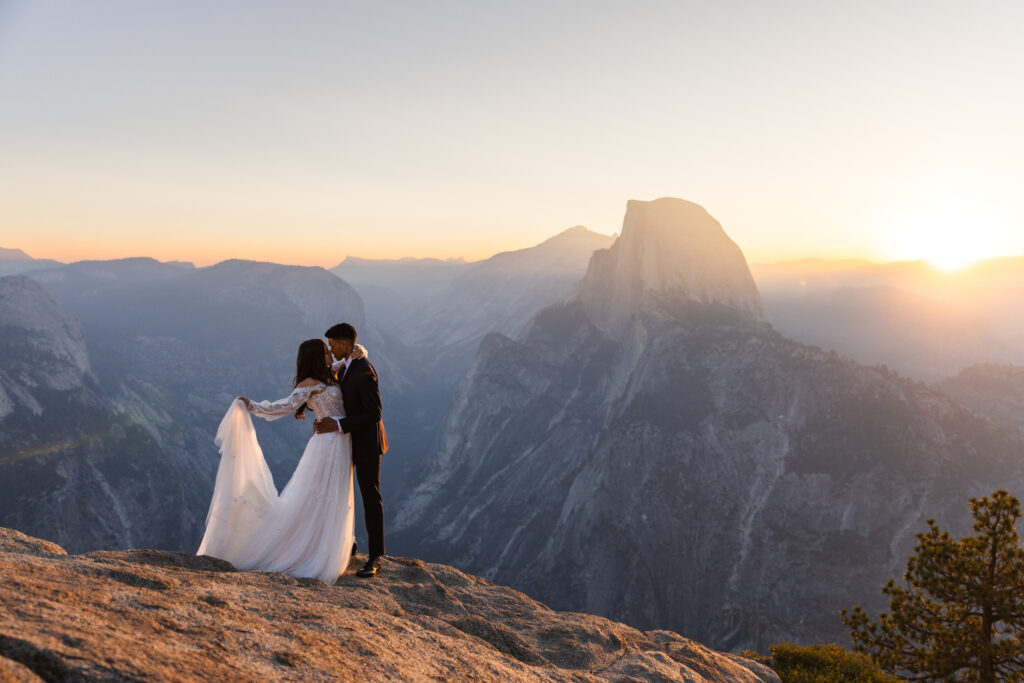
point(308, 530)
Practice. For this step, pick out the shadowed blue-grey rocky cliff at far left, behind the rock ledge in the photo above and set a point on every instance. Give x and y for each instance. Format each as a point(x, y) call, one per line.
point(71, 465)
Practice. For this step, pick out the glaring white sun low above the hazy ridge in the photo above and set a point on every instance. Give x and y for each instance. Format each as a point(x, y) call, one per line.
point(949, 233)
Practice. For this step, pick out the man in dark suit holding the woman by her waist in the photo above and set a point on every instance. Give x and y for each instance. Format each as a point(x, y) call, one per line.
point(363, 420)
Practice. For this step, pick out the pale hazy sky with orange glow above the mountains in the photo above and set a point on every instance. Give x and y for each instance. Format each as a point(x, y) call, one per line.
point(308, 132)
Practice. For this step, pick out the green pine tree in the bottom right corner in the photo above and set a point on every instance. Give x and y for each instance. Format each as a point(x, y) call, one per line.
point(961, 615)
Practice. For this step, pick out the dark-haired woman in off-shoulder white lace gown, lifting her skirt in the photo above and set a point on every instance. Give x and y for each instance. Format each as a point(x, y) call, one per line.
point(308, 531)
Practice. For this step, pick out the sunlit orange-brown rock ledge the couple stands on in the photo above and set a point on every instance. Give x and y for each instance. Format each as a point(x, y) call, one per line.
point(164, 616)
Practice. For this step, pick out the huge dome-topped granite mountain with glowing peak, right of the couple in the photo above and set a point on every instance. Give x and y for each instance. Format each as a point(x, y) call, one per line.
point(655, 453)
